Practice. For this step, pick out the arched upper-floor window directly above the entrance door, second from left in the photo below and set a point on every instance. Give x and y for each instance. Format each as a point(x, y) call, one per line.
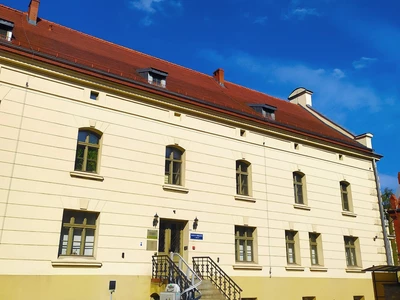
point(173, 165)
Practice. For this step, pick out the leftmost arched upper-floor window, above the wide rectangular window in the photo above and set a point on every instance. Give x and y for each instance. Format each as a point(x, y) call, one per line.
point(87, 151)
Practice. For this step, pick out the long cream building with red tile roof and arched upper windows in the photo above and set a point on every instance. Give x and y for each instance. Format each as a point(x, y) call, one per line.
point(109, 156)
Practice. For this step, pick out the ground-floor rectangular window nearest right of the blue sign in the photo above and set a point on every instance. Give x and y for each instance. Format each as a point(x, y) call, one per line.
point(244, 243)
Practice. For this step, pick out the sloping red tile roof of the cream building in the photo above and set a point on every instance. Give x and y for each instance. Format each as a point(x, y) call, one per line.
point(75, 50)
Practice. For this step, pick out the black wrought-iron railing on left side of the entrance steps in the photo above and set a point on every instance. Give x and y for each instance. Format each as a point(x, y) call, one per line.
point(165, 269)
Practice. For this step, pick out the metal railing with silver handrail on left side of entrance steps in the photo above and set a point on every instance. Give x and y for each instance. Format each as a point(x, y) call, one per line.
point(165, 268)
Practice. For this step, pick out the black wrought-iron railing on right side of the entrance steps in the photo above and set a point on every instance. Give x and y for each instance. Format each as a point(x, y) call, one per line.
point(206, 268)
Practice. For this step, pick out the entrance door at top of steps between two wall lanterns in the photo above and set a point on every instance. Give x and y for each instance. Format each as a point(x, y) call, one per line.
point(171, 237)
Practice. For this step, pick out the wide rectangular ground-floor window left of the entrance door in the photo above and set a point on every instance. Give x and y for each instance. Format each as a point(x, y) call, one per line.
point(78, 233)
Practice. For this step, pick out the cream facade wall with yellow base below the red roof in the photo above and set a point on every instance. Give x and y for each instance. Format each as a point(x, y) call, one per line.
point(41, 112)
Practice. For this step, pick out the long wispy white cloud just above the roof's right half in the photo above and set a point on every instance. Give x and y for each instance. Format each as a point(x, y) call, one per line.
point(330, 90)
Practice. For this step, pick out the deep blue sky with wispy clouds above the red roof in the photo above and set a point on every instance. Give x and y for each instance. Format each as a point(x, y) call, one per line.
point(346, 52)
